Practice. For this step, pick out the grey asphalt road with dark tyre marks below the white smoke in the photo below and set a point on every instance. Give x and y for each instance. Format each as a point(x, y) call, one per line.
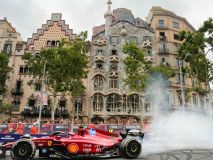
point(186, 154)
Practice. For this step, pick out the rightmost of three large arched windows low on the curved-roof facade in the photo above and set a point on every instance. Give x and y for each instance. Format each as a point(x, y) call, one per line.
point(133, 103)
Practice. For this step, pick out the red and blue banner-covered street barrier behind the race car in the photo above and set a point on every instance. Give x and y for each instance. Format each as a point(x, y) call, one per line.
point(9, 132)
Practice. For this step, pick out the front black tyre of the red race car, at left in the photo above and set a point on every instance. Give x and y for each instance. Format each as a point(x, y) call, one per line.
point(23, 149)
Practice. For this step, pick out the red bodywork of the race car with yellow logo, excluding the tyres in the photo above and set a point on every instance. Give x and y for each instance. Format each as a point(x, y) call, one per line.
point(88, 142)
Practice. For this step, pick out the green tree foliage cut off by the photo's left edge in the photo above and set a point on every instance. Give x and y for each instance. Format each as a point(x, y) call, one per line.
point(4, 71)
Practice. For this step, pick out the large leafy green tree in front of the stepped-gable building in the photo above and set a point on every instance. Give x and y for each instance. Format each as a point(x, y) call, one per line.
point(65, 67)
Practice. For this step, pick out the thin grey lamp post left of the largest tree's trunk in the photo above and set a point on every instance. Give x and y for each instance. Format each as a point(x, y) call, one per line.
point(42, 97)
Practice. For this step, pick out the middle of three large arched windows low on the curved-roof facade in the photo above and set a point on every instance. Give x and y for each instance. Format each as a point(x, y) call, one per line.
point(113, 103)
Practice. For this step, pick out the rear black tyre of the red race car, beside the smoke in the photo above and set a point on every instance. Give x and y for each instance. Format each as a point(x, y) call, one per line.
point(130, 148)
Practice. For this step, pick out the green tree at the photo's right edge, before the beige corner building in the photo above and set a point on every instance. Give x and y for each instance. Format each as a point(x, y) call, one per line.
point(196, 45)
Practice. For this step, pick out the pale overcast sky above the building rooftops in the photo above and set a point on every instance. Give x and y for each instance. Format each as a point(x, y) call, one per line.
point(28, 15)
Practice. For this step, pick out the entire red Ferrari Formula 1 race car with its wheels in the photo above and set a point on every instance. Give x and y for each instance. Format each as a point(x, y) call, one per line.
point(87, 143)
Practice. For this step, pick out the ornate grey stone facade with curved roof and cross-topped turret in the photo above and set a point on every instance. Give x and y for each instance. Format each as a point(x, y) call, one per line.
point(110, 99)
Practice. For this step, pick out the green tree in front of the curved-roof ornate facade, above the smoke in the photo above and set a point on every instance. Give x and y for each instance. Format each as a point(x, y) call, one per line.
point(138, 71)
